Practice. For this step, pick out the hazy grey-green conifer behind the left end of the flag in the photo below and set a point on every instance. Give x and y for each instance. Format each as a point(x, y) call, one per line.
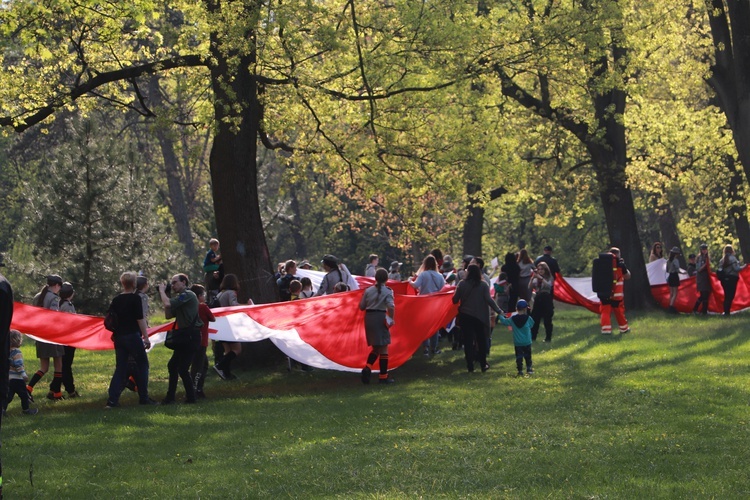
point(90, 214)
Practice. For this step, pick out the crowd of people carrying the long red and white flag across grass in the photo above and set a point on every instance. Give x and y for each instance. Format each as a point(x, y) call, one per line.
point(523, 286)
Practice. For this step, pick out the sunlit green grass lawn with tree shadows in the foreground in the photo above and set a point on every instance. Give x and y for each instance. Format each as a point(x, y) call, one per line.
point(661, 412)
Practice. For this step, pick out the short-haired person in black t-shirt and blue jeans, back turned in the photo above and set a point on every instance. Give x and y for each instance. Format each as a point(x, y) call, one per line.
point(131, 339)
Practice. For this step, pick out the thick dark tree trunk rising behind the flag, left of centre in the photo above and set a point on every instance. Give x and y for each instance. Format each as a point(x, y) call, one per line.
point(234, 170)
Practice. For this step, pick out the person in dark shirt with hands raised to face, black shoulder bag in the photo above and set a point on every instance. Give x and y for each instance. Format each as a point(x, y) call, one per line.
point(184, 308)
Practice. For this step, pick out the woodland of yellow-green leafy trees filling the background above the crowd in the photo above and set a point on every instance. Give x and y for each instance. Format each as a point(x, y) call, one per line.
point(134, 131)
